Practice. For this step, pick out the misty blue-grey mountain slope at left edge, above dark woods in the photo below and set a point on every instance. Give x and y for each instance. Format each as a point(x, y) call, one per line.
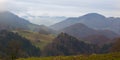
point(11, 21)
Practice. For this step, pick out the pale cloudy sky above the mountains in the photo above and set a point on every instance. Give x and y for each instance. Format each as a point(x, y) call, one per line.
point(62, 7)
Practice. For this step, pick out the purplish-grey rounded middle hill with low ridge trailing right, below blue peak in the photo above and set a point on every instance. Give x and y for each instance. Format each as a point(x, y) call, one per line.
point(80, 30)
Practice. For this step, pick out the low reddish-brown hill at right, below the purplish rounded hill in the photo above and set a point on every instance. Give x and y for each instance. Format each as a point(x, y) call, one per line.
point(99, 40)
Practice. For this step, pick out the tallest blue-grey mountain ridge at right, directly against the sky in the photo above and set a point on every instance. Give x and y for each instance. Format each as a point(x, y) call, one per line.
point(92, 20)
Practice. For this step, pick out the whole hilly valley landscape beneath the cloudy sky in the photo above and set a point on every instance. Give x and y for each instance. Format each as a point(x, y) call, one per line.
point(70, 39)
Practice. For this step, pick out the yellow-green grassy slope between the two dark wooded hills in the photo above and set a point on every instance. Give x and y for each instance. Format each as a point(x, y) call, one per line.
point(39, 40)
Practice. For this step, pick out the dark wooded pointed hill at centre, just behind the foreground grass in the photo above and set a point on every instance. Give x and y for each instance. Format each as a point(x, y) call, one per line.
point(65, 44)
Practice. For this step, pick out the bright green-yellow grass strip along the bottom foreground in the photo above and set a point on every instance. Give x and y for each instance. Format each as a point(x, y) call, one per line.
point(111, 56)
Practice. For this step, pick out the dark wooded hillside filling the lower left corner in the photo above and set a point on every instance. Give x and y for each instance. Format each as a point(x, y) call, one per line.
point(13, 46)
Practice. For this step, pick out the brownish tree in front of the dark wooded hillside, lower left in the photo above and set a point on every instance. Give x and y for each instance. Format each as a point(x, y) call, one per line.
point(14, 49)
